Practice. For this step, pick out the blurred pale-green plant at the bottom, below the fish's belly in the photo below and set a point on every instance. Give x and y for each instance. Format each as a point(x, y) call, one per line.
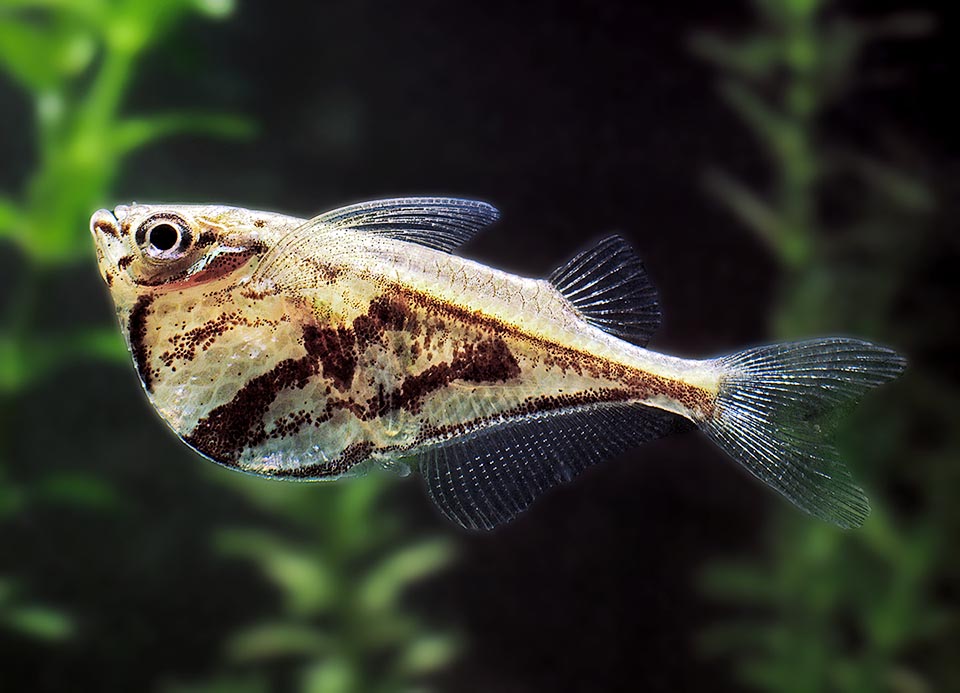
point(342, 625)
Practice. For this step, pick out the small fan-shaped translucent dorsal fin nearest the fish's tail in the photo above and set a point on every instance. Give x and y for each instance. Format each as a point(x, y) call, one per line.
point(609, 287)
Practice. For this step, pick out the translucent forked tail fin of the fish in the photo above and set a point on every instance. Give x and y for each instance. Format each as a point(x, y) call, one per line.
point(774, 404)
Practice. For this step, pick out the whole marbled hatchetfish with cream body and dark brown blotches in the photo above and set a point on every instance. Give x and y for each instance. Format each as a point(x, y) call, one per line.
point(324, 348)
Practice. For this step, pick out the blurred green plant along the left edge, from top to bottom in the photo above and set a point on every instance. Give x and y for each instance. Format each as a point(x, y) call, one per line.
point(75, 60)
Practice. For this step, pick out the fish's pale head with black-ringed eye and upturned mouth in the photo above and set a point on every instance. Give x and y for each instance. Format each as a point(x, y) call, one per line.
point(156, 248)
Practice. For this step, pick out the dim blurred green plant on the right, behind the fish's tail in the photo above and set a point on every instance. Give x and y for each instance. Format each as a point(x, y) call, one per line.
point(821, 586)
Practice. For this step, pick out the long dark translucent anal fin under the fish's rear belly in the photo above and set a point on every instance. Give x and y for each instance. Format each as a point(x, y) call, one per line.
point(487, 477)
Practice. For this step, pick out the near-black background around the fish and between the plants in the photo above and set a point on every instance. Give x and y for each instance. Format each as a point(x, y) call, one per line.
point(576, 119)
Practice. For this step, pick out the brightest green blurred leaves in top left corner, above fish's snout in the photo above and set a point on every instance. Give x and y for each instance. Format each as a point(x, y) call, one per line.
point(77, 59)
